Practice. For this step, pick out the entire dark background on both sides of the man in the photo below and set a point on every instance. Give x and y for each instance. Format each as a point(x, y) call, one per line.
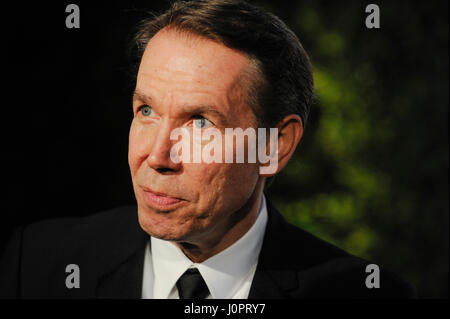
point(370, 175)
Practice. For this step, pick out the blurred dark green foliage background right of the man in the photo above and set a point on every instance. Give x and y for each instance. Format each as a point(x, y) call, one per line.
point(371, 172)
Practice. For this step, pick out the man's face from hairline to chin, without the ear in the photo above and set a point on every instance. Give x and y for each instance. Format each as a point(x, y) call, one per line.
point(183, 80)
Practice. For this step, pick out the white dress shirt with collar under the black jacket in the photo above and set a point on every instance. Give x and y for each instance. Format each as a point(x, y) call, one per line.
point(228, 274)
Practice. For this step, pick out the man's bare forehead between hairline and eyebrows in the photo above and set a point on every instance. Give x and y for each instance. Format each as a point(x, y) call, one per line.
point(189, 64)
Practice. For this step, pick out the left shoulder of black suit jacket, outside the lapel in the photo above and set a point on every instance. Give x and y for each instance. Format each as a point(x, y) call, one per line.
point(35, 262)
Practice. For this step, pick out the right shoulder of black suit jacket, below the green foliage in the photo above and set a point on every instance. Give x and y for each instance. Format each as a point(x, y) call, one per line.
point(309, 267)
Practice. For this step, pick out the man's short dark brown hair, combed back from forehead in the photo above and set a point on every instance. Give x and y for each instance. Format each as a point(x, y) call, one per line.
point(284, 83)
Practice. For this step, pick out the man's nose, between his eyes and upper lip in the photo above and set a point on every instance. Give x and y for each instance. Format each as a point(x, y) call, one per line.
point(159, 156)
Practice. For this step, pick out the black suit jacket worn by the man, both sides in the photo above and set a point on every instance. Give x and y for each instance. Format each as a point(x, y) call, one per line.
point(109, 249)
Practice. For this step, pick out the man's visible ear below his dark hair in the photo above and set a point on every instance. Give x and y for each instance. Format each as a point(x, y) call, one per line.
point(290, 132)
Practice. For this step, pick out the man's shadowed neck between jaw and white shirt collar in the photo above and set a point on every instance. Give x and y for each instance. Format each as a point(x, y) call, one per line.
point(237, 225)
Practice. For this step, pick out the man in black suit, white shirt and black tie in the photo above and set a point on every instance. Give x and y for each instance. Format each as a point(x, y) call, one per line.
point(201, 229)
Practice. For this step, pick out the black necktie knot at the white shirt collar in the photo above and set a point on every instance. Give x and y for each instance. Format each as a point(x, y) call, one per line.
point(191, 285)
